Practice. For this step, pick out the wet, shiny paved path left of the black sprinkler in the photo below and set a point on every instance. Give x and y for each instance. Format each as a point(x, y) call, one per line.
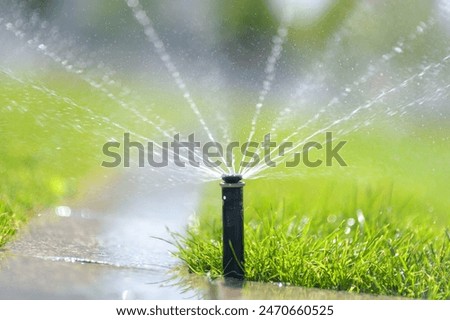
point(101, 249)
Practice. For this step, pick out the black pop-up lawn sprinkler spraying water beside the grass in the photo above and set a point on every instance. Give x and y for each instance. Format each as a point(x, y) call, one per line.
point(233, 226)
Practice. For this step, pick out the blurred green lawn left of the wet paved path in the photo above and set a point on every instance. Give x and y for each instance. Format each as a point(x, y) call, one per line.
point(44, 156)
